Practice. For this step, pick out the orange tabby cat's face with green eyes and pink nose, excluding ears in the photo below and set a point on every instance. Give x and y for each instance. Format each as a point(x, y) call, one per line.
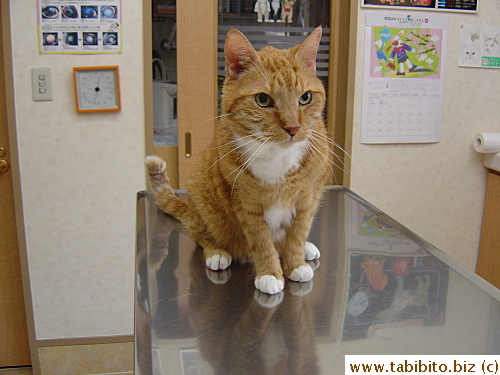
point(275, 98)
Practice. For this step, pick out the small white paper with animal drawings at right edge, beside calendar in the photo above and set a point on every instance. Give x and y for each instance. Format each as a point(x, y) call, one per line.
point(479, 46)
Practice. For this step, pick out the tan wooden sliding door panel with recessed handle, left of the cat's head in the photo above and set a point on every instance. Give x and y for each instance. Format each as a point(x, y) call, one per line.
point(196, 68)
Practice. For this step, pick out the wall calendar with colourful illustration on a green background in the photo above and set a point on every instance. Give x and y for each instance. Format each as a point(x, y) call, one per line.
point(403, 78)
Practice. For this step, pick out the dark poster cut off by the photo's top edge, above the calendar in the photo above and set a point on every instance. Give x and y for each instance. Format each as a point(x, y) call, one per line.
point(468, 6)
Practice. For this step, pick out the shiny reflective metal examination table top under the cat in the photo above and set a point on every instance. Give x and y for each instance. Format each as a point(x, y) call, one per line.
point(378, 288)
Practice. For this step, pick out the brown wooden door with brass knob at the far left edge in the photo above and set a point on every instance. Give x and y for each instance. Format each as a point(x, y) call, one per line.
point(14, 348)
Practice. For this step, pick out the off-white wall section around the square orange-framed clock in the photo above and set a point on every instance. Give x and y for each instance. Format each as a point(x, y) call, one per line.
point(79, 175)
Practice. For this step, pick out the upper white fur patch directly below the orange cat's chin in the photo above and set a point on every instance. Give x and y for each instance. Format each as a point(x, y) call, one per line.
point(271, 162)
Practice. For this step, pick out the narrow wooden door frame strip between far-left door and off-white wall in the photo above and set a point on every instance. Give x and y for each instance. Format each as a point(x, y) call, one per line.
point(16, 180)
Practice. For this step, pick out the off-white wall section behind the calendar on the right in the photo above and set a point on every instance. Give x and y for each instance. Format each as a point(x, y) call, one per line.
point(437, 190)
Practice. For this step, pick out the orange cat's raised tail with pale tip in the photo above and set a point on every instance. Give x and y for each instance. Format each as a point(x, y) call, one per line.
point(162, 191)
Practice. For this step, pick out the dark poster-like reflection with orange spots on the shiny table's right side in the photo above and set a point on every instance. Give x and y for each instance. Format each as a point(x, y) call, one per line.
point(393, 291)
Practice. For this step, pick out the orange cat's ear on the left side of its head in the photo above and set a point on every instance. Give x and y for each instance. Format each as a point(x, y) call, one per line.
point(239, 53)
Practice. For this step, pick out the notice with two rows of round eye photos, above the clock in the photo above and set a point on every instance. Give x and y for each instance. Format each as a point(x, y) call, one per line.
point(79, 27)
